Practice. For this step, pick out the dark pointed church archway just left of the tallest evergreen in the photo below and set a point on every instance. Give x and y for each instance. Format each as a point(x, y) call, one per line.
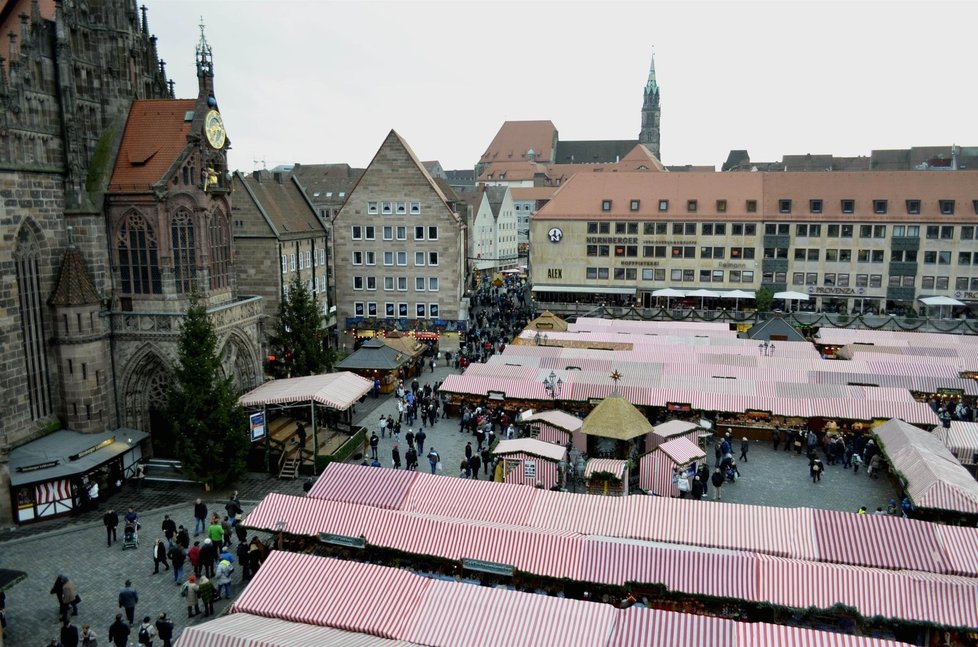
point(145, 403)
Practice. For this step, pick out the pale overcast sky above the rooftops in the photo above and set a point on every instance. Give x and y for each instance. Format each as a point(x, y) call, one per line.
point(318, 81)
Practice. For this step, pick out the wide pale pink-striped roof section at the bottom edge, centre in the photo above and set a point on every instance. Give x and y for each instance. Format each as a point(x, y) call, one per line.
point(462, 615)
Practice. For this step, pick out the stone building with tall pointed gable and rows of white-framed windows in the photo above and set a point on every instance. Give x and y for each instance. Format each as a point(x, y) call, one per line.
point(399, 248)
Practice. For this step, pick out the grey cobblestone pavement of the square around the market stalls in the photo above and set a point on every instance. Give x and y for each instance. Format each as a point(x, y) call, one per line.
point(76, 546)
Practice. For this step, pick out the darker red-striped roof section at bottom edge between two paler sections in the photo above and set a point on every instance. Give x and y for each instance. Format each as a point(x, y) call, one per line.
point(640, 627)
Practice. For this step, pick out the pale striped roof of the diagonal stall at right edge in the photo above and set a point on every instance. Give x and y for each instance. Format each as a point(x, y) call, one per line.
point(934, 477)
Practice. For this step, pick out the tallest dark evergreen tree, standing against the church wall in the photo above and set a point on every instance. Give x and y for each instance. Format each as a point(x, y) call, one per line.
point(209, 425)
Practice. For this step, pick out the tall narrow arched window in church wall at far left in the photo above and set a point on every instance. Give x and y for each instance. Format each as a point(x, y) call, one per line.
point(27, 256)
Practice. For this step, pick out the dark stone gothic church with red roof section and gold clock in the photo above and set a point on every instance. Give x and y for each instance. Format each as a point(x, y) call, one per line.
point(114, 210)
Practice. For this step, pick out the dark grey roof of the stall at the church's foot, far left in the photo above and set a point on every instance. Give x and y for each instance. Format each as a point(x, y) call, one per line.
point(69, 453)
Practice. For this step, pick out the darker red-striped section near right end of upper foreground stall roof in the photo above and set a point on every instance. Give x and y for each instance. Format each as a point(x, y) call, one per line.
point(878, 540)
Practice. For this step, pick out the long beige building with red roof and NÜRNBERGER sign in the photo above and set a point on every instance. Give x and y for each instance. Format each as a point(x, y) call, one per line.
point(852, 241)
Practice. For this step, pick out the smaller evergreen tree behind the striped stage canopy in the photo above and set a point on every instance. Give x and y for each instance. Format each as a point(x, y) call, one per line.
point(298, 340)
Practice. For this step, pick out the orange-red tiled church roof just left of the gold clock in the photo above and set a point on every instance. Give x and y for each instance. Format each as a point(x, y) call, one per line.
point(156, 133)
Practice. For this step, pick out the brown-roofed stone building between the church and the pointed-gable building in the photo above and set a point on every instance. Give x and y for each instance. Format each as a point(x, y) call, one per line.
point(278, 230)
